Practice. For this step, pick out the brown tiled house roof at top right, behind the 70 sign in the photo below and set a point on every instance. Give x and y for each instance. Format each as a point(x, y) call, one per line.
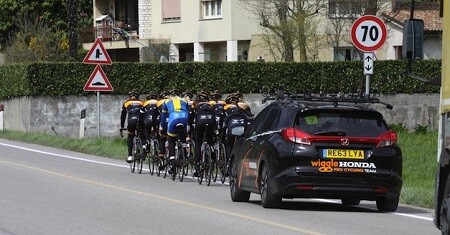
point(428, 12)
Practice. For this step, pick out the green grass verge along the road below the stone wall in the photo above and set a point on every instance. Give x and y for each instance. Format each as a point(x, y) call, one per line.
point(419, 157)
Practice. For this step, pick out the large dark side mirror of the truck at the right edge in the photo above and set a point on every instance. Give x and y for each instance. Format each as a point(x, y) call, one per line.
point(413, 39)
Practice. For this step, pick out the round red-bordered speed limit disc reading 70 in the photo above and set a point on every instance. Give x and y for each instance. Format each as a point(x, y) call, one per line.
point(368, 33)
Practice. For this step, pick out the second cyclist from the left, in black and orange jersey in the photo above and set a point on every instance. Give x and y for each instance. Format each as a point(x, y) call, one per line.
point(151, 116)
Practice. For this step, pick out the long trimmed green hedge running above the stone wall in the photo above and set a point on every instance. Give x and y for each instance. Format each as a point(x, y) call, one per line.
point(58, 79)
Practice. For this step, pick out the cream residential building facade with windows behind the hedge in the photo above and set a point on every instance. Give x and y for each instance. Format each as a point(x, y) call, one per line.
point(217, 30)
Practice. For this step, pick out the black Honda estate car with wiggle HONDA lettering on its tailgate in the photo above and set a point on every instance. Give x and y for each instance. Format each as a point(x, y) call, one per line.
point(323, 147)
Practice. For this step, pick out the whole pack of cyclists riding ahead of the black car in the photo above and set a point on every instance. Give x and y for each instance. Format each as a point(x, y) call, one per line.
point(175, 115)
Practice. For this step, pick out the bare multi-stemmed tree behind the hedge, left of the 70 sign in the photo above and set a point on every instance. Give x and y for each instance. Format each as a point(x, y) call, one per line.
point(288, 23)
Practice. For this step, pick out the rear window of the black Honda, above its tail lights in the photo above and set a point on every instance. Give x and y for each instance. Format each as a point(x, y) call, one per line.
point(342, 123)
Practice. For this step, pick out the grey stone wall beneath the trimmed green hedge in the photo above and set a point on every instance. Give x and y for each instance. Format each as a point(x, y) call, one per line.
point(62, 115)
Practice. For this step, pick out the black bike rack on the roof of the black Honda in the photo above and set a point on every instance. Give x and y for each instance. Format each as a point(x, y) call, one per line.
point(279, 94)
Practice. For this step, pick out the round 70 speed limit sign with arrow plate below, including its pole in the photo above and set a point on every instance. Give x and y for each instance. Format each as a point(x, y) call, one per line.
point(368, 34)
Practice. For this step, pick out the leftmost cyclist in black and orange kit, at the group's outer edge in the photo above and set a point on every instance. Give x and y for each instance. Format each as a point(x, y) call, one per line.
point(133, 108)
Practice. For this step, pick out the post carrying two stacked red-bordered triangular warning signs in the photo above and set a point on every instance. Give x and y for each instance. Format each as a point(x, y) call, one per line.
point(98, 80)
